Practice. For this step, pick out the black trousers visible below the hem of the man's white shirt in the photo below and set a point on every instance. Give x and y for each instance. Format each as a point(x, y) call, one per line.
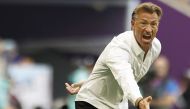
point(83, 105)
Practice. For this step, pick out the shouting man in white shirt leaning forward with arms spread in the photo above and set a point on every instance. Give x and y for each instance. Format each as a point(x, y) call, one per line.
point(124, 61)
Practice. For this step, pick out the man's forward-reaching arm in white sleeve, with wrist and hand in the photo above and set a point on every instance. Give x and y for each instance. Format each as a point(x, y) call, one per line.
point(118, 62)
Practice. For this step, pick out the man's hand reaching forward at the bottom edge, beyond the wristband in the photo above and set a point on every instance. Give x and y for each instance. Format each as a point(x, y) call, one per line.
point(145, 103)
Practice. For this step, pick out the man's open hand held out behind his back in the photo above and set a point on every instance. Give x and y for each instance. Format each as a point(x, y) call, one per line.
point(73, 88)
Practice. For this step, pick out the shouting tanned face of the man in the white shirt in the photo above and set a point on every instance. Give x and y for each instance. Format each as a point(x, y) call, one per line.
point(145, 27)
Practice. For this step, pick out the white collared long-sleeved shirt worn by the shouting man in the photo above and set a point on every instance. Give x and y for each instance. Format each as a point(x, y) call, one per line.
point(117, 71)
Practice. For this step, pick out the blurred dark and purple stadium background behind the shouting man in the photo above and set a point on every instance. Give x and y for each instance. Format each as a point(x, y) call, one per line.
point(45, 43)
